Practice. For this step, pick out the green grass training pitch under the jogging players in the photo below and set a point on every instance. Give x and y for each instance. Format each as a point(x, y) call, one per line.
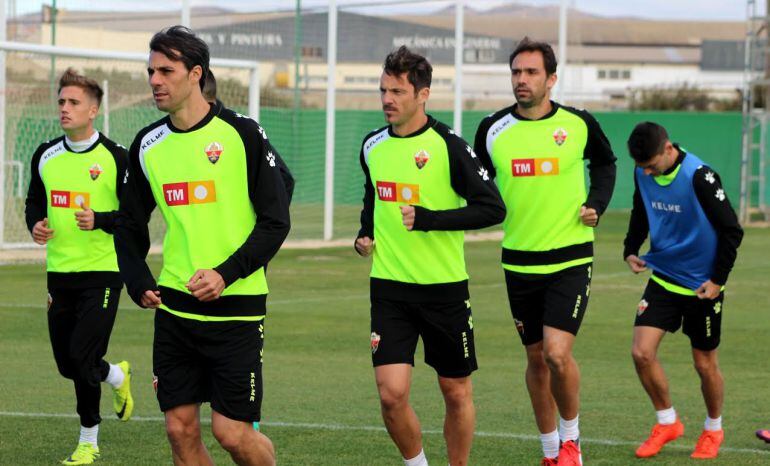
point(320, 405)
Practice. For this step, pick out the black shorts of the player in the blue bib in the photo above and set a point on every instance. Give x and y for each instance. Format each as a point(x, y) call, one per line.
point(700, 319)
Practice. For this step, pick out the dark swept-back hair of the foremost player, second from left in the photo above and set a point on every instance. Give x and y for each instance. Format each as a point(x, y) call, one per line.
point(179, 43)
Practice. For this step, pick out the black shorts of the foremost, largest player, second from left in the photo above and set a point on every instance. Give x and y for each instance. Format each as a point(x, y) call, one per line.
point(220, 362)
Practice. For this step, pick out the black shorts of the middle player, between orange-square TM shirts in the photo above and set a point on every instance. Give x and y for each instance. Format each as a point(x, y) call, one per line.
point(446, 330)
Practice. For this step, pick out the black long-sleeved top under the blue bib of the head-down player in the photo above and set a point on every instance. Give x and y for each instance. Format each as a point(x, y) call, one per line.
point(716, 206)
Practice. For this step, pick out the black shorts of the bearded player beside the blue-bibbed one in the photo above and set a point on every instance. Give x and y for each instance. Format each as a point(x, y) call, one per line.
point(558, 300)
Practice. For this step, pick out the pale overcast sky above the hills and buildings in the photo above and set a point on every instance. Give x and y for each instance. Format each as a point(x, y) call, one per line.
point(734, 10)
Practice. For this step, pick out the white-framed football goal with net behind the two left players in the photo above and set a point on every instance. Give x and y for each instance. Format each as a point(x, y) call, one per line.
point(28, 110)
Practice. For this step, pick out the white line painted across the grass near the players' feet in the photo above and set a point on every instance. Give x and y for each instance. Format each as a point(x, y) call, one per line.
point(344, 427)
